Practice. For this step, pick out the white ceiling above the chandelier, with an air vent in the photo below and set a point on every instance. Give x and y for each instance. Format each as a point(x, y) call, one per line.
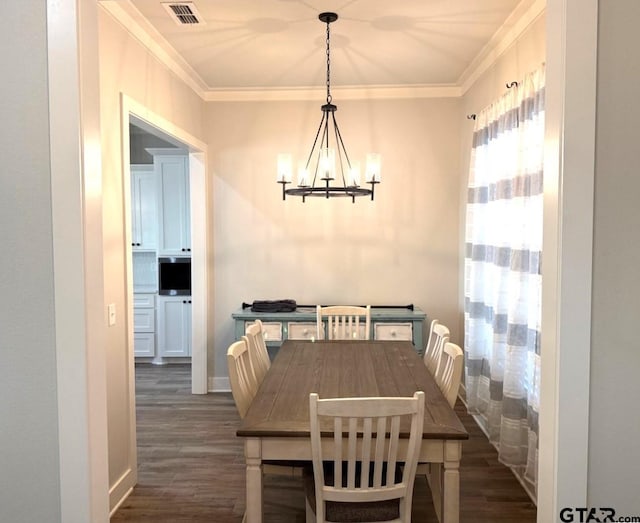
point(280, 44)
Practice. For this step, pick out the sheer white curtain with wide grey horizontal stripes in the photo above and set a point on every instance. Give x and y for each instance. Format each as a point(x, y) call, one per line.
point(502, 273)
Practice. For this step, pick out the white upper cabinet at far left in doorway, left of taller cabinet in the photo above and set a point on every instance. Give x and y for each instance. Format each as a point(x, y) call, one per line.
point(144, 208)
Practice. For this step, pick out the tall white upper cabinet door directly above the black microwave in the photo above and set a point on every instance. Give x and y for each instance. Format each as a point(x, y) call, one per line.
point(173, 189)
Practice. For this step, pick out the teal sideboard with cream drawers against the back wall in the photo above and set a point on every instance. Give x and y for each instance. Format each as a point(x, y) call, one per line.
point(386, 324)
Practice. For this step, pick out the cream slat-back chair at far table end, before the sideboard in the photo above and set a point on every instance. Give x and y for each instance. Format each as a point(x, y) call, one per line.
point(344, 322)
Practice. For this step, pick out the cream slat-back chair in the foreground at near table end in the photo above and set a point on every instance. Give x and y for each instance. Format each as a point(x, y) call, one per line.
point(373, 480)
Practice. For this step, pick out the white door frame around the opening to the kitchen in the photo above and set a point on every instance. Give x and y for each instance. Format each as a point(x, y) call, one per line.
point(154, 123)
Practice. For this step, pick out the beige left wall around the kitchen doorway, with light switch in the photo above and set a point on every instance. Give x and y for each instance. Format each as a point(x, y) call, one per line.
point(126, 67)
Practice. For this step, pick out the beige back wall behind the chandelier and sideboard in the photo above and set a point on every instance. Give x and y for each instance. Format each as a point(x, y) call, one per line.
point(402, 248)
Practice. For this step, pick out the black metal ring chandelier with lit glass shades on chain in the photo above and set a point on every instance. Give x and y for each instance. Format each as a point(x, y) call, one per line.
point(327, 181)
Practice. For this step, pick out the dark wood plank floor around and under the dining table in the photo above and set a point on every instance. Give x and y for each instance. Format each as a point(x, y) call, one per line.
point(191, 468)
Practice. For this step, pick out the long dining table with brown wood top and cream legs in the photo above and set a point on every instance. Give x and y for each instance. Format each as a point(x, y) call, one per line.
point(276, 426)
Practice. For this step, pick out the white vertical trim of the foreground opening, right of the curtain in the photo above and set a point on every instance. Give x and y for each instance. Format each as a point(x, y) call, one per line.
point(568, 249)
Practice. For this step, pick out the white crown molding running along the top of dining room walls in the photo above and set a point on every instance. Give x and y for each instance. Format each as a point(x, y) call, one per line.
point(125, 13)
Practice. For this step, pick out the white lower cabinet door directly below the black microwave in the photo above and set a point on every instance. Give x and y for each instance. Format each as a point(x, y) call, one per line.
point(174, 326)
